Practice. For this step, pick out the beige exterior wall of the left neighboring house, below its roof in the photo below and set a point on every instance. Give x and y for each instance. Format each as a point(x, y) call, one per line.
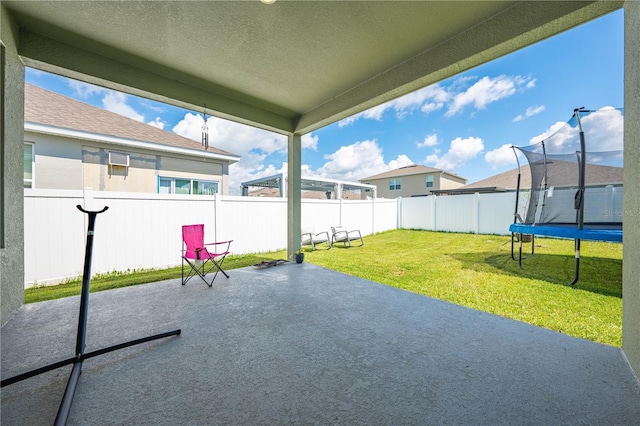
point(64, 163)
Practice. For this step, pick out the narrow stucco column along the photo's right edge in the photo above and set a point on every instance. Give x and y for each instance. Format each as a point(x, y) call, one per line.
point(631, 218)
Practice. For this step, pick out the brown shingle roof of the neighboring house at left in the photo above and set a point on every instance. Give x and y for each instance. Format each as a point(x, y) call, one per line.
point(43, 107)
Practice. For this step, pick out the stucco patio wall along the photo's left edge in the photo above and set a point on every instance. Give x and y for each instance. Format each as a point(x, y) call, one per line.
point(12, 205)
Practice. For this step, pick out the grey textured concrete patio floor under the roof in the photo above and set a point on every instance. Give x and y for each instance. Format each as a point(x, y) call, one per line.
point(300, 344)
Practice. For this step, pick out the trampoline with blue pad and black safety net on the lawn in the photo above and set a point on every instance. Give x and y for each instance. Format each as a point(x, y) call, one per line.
point(575, 193)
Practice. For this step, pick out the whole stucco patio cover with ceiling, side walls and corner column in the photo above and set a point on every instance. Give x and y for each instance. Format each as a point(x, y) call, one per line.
point(290, 67)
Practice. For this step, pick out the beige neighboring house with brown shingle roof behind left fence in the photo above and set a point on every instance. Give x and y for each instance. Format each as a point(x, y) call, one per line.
point(69, 144)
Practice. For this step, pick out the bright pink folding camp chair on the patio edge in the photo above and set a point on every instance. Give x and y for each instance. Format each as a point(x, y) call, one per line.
point(205, 261)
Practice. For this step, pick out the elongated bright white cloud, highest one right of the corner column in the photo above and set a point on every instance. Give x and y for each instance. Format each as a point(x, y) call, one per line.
point(488, 90)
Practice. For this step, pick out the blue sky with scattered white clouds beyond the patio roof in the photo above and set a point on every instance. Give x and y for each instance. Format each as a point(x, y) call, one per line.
point(464, 124)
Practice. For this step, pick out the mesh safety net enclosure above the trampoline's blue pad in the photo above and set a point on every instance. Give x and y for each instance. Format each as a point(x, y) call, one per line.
point(573, 183)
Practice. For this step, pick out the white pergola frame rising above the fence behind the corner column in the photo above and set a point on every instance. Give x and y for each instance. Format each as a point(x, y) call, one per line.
point(309, 183)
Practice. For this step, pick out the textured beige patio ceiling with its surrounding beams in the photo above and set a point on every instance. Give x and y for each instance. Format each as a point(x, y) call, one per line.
point(289, 67)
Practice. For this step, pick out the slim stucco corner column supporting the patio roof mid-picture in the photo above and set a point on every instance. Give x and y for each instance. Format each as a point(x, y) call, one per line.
point(294, 195)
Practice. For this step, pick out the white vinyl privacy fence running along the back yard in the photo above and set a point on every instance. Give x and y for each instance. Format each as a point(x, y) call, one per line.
point(141, 231)
